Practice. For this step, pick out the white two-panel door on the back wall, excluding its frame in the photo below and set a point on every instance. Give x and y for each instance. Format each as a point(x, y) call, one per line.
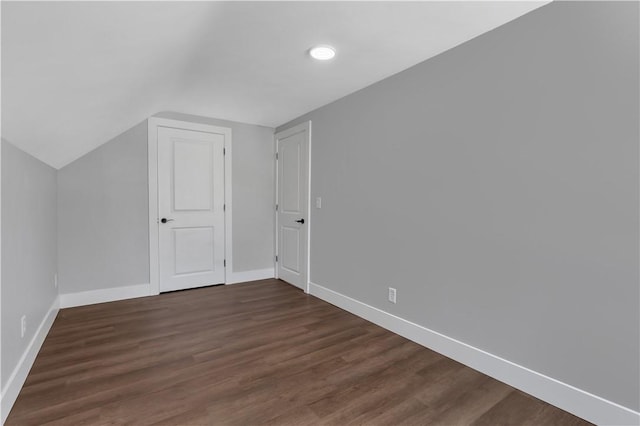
point(191, 208)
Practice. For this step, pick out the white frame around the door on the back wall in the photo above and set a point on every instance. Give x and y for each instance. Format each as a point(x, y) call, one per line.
point(154, 259)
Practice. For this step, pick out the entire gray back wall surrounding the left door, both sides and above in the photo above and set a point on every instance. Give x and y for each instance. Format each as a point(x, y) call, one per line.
point(103, 208)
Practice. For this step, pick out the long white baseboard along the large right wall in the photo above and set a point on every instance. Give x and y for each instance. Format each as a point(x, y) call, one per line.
point(569, 398)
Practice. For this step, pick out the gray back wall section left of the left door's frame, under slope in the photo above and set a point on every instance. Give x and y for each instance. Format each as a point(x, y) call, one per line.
point(102, 216)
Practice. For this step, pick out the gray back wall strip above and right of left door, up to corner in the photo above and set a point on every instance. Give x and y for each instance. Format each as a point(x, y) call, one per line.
point(252, 190)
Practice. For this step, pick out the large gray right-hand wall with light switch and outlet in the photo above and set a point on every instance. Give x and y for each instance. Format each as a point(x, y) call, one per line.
point(496, 187)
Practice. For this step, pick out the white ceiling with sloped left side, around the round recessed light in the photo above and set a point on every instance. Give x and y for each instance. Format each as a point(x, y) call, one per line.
point(76, 74)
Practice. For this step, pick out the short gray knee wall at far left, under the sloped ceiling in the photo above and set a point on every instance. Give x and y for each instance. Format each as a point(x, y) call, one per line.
point(28, 249)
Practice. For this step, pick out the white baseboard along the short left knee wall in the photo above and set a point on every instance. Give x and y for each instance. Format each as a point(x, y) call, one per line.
point(19, 374)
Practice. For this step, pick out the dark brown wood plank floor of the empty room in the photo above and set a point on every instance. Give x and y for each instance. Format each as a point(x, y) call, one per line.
point(248, 354)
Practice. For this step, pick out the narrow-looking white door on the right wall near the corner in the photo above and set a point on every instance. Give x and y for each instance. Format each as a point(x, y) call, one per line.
point(292, 209)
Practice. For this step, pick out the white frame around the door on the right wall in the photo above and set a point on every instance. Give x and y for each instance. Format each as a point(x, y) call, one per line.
point(281, 135)
